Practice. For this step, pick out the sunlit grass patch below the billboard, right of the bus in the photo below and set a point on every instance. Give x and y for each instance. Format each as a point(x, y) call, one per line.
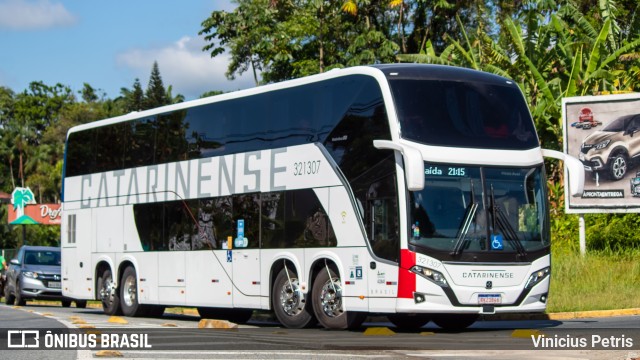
point(597, 281)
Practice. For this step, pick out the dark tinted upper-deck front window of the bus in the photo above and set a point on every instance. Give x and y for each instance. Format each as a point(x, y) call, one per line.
point(463, 114)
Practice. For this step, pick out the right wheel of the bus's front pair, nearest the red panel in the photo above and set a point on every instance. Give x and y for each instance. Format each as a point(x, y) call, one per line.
point(328, 305)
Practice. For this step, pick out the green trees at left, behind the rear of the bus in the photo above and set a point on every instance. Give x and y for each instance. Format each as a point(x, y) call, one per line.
point(33, 129)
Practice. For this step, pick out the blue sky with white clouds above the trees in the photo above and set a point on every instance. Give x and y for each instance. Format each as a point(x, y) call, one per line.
point(108, 44)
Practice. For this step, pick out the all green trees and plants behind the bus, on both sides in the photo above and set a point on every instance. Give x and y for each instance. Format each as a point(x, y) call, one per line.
point(552, 49)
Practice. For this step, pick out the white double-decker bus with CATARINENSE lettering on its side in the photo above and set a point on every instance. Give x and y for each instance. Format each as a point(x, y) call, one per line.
point(413, 191)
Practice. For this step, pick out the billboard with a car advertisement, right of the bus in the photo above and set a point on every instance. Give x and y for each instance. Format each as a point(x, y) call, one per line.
point(603, 132)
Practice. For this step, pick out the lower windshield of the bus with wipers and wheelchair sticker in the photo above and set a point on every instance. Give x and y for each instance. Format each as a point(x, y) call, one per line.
point(475, 209)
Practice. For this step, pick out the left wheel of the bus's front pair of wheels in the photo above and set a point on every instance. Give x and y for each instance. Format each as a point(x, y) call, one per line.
point(289, 304)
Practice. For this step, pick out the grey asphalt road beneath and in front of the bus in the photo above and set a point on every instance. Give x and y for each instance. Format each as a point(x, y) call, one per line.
point(178, 336)
